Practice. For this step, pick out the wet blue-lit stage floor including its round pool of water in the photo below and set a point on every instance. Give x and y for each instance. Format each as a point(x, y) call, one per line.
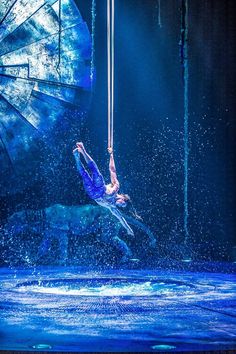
point(71, 309)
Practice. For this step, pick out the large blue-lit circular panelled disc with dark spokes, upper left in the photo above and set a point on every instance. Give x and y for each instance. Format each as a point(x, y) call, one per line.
point(45, 70)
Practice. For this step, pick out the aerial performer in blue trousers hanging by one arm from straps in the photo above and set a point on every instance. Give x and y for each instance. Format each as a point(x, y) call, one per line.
point(105, 195)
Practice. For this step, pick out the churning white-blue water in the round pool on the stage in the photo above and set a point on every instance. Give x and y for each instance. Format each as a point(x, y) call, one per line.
point(109, 287)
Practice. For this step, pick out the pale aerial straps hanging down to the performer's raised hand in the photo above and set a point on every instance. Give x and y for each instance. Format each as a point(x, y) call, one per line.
point(110, 70)
